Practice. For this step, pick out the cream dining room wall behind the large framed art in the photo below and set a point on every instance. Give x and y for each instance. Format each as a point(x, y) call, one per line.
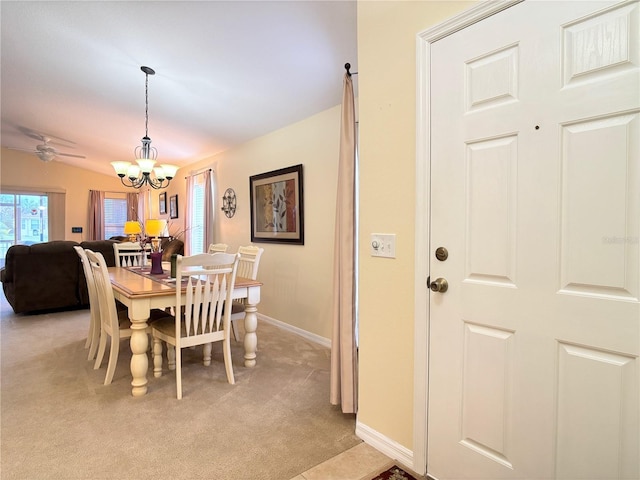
point(297, 279)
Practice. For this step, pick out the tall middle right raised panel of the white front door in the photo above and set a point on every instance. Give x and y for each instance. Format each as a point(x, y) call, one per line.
point(593, 227)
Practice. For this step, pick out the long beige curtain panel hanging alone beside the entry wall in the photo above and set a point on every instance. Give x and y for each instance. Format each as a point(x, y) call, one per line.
point(344, 354)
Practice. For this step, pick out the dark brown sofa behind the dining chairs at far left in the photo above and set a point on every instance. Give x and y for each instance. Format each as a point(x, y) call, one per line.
point(49, 276)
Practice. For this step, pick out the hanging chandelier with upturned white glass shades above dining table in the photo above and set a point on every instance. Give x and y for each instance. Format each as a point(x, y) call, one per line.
point(139, 175)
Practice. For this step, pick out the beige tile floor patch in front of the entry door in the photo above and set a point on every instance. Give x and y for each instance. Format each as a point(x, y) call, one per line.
point(361, 462)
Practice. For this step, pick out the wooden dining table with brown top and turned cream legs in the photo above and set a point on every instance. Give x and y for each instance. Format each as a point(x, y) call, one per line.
point(142, 292)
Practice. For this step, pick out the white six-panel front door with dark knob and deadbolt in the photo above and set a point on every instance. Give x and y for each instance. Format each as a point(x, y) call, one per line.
point(535, 194)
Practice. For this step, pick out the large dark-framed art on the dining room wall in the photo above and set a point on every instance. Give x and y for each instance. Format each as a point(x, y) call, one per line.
point(277, 206)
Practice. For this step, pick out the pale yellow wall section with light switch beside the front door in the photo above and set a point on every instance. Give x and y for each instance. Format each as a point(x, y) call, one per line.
point(387, 112)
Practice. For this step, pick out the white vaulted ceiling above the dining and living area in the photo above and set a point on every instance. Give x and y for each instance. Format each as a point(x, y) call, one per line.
point(226, 72)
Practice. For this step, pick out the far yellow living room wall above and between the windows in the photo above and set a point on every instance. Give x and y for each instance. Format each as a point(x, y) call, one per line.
point(19, 169)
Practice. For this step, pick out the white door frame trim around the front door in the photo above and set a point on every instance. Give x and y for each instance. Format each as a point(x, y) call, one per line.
point(424, 40)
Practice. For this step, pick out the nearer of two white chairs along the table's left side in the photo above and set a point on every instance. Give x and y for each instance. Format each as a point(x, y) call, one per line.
point(113, 324)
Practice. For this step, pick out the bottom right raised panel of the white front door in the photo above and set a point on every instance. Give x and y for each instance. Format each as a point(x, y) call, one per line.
point(601, 425)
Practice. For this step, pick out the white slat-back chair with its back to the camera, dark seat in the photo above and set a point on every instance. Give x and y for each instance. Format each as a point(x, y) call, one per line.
point(209, 281)
